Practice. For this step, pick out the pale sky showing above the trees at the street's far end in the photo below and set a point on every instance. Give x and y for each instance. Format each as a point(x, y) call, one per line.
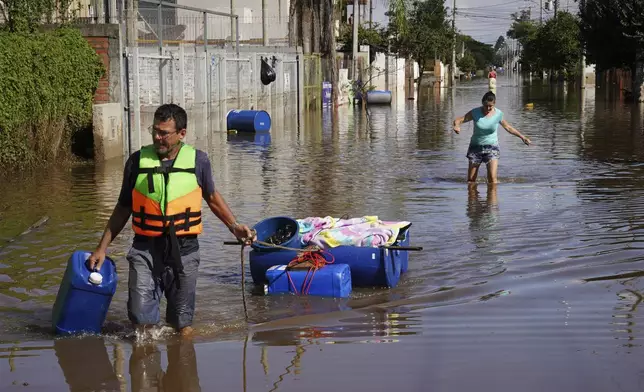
point(484, 20)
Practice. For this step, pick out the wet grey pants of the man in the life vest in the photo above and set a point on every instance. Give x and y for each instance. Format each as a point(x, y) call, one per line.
point(149, 279)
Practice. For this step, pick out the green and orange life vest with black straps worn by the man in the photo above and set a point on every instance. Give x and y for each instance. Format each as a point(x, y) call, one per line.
point(166, 196)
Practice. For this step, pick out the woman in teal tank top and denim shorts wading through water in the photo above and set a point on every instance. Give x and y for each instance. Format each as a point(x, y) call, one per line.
point(484, 143)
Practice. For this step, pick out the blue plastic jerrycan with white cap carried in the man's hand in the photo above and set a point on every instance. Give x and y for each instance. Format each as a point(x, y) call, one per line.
point(81, 307)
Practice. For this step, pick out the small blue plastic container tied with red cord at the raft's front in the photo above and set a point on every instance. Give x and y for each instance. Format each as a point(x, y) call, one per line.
point(333, 280)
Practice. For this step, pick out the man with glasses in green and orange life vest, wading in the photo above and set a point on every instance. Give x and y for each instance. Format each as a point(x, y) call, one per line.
point(163, 185)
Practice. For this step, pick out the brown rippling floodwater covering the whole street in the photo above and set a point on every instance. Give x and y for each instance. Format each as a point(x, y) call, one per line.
point(532, 285)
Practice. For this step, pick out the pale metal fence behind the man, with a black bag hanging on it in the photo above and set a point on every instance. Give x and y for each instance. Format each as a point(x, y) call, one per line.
point(210, 83)
